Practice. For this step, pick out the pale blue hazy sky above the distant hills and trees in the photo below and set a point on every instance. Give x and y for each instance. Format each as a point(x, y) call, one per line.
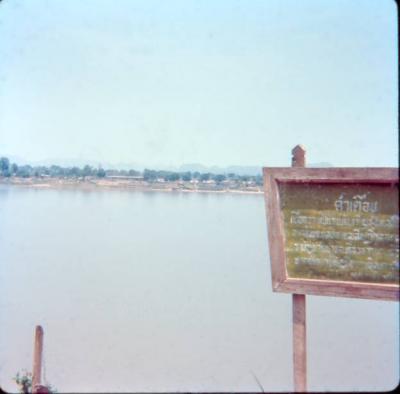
point(218, 82)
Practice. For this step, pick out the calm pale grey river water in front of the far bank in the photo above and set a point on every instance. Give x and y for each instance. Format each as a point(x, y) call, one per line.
point(151, 291)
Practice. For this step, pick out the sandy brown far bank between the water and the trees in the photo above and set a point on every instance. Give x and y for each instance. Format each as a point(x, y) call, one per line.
point(104, 183)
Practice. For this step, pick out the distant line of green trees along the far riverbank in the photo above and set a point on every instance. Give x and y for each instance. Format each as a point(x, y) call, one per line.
point(8, 169)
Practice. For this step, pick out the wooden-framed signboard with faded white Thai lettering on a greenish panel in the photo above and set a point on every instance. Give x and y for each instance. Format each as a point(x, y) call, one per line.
point(334, 231)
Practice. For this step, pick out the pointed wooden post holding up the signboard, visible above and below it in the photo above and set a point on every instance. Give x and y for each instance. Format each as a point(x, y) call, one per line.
point(299, 310)
